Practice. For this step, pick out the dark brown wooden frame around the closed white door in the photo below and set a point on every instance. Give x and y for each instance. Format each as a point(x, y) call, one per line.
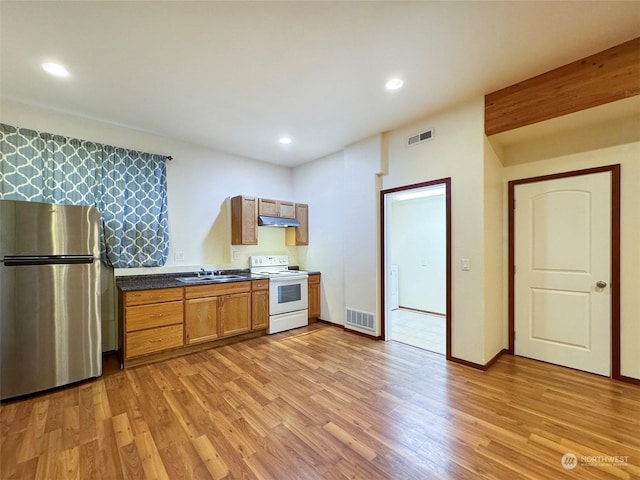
point(615, 255)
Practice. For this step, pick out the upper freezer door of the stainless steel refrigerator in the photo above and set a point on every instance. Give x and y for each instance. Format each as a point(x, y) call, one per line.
point(31, 228)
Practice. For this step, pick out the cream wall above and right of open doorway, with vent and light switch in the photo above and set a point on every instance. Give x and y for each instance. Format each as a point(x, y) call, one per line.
point(456, 151)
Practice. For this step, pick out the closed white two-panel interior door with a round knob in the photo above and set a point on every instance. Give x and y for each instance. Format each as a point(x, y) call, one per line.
point(563, 269)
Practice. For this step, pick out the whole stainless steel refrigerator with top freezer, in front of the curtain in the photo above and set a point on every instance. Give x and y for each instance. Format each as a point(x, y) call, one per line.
point(49, 296)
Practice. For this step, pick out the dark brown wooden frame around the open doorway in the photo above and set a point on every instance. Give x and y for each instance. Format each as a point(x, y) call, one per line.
point(383, 249)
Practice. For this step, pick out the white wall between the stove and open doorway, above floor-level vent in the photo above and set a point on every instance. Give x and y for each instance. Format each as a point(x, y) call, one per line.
point(342, 192)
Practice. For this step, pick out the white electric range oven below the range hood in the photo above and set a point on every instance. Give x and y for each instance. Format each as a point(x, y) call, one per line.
point(288, 292)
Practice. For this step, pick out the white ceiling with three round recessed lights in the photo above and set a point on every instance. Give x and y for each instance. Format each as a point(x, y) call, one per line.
point(235, 76)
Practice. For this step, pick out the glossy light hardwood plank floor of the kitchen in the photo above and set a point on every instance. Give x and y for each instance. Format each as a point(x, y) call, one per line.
point(319, 403)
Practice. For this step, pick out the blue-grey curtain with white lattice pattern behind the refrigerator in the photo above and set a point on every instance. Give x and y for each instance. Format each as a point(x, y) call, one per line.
point(128, 187)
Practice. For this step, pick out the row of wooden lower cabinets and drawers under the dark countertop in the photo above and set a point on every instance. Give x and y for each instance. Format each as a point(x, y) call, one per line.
point(159, 320)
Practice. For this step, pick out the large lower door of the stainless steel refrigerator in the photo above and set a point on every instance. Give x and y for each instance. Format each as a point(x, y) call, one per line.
point(49, 326)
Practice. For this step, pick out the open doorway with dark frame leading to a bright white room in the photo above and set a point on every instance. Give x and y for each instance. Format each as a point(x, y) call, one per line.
point(416, 238)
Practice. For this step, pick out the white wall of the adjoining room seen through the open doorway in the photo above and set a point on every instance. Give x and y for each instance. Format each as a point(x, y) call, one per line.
point(417, 245)
